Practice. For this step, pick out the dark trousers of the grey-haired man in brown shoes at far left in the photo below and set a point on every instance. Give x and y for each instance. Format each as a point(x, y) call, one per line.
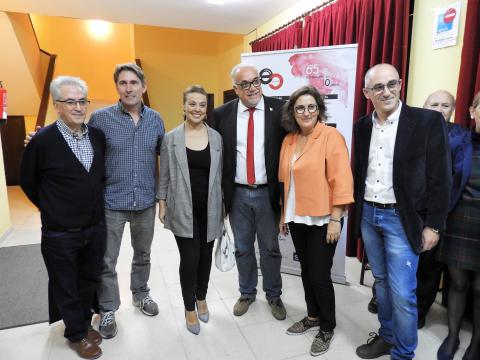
point(73, 260)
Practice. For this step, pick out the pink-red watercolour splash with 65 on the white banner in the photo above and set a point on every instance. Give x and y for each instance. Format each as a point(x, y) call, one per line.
point(322, 72)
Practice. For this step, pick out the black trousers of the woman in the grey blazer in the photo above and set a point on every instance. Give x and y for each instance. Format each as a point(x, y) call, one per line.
point(195, 263)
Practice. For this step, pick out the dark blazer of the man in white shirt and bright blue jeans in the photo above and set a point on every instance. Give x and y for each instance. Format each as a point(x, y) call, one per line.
point(422, 175)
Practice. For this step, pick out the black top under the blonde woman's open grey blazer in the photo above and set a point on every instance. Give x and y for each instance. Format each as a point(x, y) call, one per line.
point(199, 168)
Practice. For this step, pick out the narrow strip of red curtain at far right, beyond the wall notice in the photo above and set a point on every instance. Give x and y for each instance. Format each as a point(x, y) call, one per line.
point(469, 77)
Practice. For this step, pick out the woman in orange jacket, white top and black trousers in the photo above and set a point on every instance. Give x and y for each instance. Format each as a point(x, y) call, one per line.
point(317, 187)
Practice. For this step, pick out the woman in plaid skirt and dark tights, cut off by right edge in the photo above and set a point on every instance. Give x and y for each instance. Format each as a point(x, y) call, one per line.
point(460, 247)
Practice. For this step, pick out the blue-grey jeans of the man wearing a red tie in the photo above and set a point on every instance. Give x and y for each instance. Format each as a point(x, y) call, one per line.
point(251, 215)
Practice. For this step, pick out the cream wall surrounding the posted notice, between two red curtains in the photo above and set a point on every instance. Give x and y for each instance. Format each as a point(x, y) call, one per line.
point(432, 70)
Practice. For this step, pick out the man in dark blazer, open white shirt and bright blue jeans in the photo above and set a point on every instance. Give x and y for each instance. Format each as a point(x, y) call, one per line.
point(402, 191)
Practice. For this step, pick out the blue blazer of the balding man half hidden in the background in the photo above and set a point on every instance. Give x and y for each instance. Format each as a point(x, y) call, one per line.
point(460, 140)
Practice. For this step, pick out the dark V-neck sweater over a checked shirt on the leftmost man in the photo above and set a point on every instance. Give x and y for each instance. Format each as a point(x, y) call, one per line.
point(67, 196)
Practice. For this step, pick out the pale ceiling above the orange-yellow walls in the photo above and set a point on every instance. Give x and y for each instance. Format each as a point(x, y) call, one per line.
point(235, 16)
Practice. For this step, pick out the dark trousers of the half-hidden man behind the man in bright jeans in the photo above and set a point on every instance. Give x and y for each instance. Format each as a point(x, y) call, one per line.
point(429, 273)
